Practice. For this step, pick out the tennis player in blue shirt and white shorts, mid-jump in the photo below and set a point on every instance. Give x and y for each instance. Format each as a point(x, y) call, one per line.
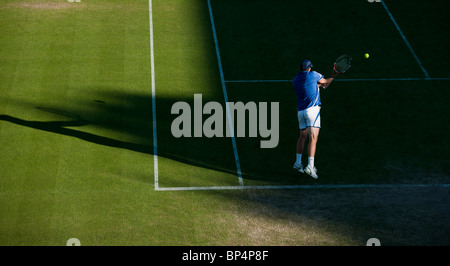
point(306, 86)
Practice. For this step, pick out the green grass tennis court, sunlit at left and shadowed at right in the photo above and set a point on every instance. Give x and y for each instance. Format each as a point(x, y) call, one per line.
point(87, 150)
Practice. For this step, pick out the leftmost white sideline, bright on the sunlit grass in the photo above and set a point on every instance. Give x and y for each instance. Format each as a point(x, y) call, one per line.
point(152, 62)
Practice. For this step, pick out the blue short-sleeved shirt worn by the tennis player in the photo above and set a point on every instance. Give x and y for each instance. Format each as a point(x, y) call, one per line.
point(307, 90)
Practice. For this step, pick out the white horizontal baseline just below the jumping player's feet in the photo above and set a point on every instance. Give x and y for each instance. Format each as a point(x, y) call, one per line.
point(331, 186)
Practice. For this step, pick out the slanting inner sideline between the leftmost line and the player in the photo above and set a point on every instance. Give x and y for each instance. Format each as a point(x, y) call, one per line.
point(225, 95)
